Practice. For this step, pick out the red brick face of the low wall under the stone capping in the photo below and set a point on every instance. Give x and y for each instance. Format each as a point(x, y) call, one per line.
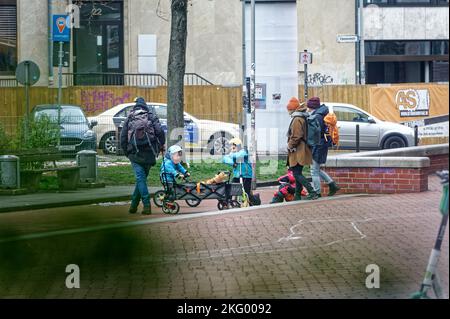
point(379, 180)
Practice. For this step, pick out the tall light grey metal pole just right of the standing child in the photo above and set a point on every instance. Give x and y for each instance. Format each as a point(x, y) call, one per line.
point(253, 101)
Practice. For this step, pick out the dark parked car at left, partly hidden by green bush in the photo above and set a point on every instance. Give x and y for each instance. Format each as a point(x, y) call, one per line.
point(76, 130)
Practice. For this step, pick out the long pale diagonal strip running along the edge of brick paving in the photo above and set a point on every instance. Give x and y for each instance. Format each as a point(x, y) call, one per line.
point(176, 218)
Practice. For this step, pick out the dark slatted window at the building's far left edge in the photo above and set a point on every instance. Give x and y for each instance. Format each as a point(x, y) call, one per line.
point(8, 37)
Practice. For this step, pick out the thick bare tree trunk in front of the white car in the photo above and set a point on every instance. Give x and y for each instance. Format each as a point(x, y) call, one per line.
point(176, 71)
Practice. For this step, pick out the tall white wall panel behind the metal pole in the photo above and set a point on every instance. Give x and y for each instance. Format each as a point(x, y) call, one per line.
point(276, 66)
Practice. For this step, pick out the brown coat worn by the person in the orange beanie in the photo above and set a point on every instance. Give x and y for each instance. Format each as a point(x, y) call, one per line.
point(297, 136)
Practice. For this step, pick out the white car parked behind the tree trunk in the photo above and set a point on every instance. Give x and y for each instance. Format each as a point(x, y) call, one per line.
point(204, 135)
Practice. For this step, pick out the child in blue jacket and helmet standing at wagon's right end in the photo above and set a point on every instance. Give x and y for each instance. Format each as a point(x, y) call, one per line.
point(239, 159)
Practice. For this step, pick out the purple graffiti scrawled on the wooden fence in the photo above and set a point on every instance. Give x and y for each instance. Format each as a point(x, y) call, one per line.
point(97, 101)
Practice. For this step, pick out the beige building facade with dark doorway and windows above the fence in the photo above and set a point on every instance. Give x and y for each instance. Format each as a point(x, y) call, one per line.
point(405, 40)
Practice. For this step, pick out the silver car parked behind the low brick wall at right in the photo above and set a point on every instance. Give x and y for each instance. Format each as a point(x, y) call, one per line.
point(374, 133)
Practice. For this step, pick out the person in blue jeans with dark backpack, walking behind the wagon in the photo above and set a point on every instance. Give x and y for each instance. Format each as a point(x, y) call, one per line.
point(142, 139)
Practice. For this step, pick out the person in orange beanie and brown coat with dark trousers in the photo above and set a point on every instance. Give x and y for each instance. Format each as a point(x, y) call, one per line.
point(298, 148)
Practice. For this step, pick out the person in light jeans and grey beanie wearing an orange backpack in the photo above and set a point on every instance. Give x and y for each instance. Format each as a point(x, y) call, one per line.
point(320, 149)
